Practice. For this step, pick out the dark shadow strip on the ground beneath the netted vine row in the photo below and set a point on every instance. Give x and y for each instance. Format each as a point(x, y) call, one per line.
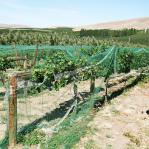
point(61, 111)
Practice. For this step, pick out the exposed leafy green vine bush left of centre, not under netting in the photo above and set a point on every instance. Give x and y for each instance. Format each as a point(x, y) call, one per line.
point(58, 62)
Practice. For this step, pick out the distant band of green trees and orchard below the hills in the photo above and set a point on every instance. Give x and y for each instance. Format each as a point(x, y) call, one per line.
point(65, 36)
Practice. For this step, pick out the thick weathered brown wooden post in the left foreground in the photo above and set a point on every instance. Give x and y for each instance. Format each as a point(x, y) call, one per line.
point(12, 131)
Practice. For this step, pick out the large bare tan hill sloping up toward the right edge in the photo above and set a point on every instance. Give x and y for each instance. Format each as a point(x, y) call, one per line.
point(140, 23)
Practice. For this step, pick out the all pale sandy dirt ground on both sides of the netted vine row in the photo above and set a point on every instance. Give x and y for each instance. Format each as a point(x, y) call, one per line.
point(123, 124)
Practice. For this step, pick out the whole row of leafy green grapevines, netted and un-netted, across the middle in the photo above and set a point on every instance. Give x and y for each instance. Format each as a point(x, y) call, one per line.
point(55, 66)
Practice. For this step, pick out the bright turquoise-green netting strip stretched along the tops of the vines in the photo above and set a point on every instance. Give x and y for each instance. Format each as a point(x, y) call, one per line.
point(91, 53)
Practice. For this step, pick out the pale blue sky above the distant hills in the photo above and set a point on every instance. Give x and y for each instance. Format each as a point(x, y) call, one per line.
point(44, 13)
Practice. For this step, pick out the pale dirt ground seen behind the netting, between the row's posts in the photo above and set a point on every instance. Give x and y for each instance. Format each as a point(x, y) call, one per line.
point(42, 107)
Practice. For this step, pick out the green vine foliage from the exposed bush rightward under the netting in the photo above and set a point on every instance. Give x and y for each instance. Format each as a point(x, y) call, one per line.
point(65, 61)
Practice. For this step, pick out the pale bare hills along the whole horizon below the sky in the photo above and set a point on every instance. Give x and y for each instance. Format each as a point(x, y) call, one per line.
point(140, 23)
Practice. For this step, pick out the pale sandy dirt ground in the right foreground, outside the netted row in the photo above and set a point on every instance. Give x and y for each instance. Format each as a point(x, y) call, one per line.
point(123, 124)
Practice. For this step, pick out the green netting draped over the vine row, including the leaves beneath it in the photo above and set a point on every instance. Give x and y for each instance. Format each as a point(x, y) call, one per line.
point(60, 59)
